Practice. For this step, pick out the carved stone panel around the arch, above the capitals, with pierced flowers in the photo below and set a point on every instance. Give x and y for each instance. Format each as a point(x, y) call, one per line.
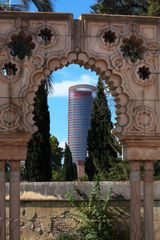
point(94, 42)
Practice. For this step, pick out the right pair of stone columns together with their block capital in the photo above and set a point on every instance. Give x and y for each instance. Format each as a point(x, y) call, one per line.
point(144, 150)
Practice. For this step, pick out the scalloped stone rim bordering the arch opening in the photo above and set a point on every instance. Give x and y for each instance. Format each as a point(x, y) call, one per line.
point(100, 66)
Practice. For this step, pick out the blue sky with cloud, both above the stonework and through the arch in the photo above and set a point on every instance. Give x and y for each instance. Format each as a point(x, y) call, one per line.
point(67, 76)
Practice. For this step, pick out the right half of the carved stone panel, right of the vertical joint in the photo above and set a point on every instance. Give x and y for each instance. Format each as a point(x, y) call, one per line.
point(132, 90)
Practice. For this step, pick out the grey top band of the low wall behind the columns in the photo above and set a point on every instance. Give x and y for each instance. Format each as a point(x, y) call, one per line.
point(56, 191)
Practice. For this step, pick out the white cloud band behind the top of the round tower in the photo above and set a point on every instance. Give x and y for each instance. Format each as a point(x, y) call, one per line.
point(60, 89)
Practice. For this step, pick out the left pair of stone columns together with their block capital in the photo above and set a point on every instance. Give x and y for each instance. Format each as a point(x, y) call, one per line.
point(13, 148)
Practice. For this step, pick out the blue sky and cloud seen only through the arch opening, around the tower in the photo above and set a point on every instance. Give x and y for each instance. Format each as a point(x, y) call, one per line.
point(58, 98)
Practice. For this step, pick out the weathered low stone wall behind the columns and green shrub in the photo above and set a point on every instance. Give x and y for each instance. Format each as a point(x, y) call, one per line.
point(45, 210)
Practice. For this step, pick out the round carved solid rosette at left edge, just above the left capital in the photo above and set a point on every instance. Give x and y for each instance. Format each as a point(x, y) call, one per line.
point(9, 117)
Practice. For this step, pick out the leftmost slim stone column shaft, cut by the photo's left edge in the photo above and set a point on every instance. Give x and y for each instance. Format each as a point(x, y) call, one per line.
point(2, 201)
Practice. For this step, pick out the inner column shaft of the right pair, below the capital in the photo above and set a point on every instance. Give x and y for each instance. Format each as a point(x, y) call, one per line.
point(135, 200)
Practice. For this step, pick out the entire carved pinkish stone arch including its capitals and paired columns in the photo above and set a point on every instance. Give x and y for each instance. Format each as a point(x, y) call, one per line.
point(104, 44)
